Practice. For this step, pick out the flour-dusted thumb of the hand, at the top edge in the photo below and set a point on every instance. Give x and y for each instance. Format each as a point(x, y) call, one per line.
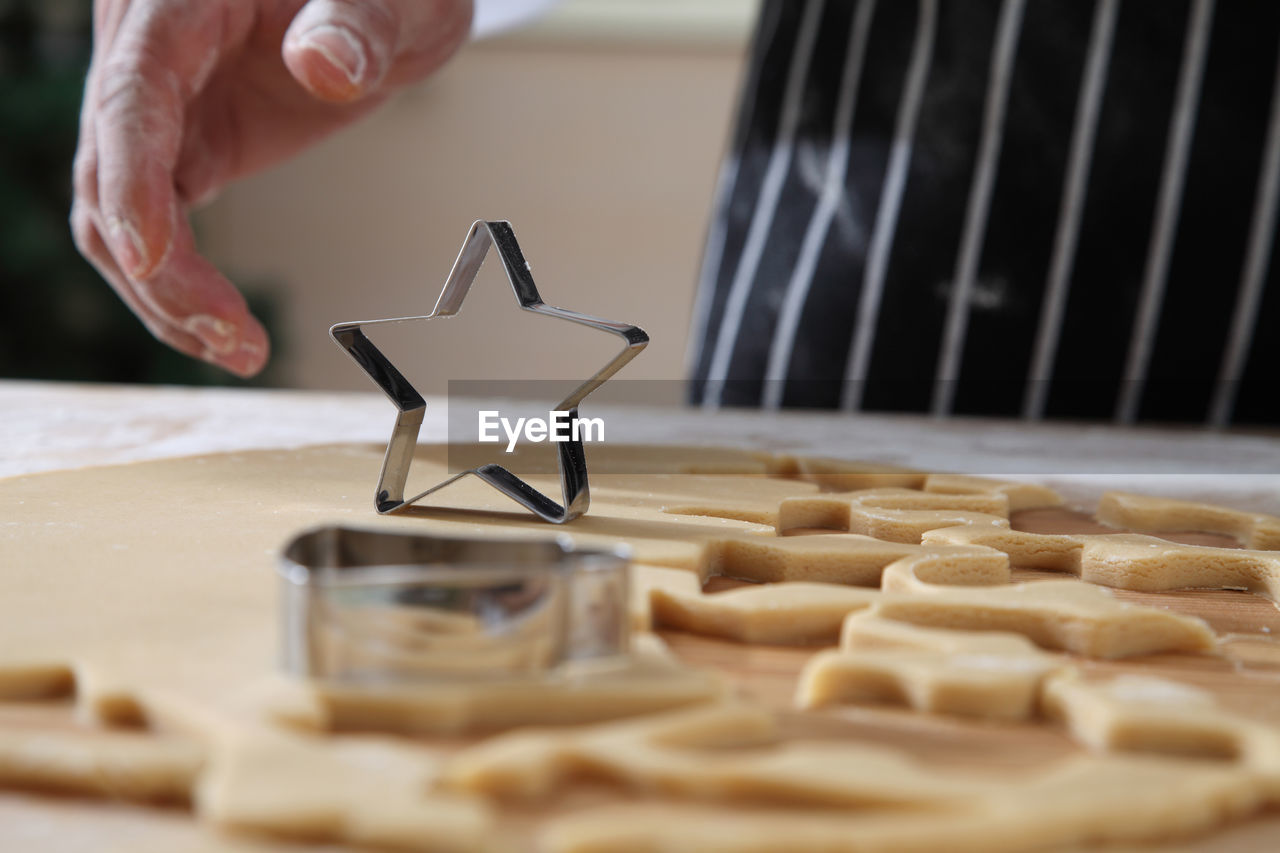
point(342, 51)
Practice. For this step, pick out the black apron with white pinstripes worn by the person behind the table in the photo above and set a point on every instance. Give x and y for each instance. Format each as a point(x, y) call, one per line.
point(1016, 208)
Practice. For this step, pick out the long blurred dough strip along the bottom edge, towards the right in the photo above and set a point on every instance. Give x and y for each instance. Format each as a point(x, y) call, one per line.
point(1077, 802)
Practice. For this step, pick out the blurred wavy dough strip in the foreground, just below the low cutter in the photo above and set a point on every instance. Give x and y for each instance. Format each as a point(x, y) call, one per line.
point(688, 755)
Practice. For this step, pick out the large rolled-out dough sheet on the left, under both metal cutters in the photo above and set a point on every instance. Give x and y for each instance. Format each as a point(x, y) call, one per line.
point(150, 591)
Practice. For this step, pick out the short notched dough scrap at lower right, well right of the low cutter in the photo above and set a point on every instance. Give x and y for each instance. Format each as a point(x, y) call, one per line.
point(984, 674)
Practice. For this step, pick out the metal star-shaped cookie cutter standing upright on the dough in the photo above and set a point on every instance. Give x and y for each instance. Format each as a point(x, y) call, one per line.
point(410, 404)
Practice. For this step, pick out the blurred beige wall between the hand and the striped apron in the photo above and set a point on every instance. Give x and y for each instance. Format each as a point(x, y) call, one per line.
point(598, 142)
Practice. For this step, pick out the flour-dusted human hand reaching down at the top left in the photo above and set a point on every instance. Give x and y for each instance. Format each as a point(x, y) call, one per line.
point(185, 97)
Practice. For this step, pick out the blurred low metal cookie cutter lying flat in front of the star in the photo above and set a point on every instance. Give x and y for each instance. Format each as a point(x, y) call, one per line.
point(376, 608)
